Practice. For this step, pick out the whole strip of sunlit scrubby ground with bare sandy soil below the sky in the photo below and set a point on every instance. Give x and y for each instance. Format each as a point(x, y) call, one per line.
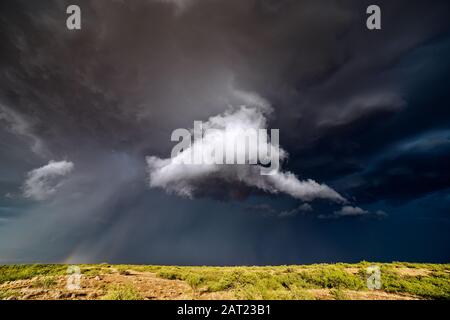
point(319, 281)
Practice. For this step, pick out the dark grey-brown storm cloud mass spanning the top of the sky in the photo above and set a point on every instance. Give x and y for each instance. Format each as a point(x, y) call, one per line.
point(136, 71)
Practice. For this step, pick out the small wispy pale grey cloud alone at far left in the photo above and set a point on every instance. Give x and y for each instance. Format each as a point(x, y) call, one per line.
point(43, 182)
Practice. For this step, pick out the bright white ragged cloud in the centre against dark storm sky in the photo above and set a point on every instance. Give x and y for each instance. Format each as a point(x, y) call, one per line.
point(176, 175)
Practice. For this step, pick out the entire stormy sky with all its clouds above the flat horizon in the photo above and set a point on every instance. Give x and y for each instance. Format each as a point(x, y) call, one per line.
point(86, 118)
